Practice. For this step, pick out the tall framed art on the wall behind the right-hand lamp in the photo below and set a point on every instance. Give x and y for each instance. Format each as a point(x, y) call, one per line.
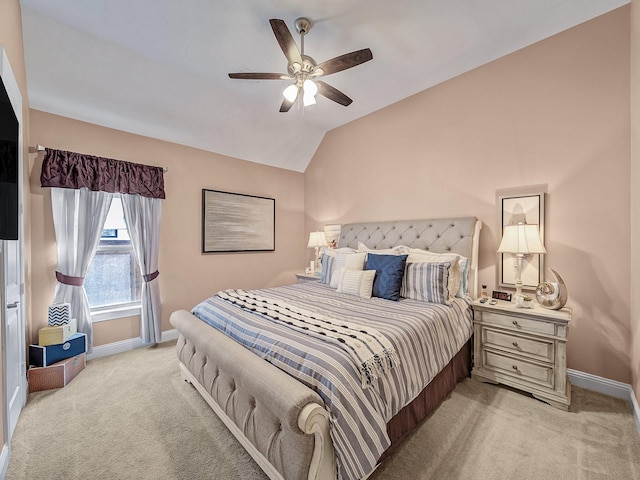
point(525, 205)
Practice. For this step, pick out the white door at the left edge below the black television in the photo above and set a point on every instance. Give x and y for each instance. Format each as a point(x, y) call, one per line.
point(15, 387)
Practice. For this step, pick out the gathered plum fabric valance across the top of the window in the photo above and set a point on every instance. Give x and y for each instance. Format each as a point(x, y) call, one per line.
point(64, 169)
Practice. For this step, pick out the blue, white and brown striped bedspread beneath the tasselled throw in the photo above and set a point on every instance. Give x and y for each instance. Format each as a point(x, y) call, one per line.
point(425, 336)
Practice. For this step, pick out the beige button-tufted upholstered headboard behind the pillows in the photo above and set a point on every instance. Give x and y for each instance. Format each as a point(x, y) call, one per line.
point(441, 235)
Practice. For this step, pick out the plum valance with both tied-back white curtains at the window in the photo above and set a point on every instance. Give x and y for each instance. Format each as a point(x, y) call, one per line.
point(81, 190)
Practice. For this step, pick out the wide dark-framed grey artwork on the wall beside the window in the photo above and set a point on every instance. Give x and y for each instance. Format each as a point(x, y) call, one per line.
point(235, 222)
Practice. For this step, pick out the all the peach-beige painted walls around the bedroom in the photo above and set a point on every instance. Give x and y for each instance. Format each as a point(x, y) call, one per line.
point(555, 113)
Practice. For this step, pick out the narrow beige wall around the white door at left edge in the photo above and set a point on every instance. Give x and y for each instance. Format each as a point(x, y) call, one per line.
point(11, 41)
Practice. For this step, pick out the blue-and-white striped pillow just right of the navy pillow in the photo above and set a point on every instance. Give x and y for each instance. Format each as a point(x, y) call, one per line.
point(427, 282)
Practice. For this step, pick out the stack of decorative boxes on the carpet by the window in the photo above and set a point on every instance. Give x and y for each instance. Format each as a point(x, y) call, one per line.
point(60, 354)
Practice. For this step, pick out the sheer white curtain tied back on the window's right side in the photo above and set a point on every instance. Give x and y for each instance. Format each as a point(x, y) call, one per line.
point(142, 215)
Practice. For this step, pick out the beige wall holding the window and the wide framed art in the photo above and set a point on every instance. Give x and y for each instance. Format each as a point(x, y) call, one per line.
point(186, 275)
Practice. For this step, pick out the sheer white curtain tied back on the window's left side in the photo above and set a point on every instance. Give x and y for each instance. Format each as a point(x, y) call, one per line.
point(78, 219)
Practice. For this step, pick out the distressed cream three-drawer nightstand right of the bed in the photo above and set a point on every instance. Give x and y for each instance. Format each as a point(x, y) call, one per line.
point(525, 348)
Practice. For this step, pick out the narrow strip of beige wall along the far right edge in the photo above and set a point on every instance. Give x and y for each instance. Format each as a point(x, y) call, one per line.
point(635, 195)
